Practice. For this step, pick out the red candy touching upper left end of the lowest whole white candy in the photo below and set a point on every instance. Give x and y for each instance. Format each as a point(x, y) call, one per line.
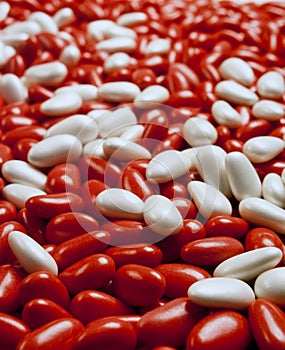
point(179, 278)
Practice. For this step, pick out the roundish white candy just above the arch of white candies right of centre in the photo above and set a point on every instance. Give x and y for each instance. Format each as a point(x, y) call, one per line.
point(199, 132)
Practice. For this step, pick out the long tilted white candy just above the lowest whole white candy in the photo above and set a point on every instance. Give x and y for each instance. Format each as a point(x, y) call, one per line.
point(249, 265)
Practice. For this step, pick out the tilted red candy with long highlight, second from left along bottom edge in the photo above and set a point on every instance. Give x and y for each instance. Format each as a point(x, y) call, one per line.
point(64, 331)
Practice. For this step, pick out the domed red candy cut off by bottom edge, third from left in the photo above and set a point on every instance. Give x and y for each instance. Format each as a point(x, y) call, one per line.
point(110, 333)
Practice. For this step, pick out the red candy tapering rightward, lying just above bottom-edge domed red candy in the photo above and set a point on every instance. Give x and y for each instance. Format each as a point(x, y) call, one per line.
point(90, 305)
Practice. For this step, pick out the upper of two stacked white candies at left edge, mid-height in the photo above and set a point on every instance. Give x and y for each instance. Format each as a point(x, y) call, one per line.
point(21, 172)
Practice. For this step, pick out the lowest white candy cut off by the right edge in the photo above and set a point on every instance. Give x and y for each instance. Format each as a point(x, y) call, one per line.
point(270, 285)
